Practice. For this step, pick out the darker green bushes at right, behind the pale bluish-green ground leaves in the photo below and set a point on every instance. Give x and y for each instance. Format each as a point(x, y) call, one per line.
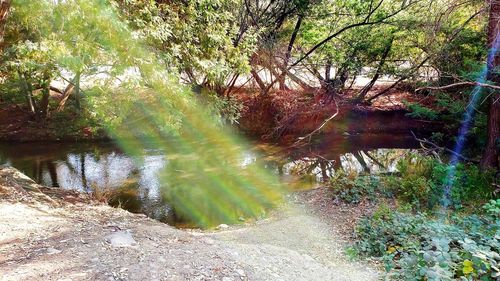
point(420, 181)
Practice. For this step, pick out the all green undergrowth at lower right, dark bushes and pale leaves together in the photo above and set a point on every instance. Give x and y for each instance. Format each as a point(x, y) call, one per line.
point(421, 240)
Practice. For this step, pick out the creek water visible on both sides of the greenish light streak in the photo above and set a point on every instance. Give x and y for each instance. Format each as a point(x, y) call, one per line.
point(135, 182)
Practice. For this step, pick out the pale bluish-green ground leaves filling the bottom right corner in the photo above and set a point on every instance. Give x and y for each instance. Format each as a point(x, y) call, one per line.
point(415, 247)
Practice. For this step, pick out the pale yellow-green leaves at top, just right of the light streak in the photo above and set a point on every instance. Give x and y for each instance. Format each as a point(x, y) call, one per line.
point(192, 37)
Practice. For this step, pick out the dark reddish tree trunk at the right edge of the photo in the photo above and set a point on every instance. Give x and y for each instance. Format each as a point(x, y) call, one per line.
point(491, 153)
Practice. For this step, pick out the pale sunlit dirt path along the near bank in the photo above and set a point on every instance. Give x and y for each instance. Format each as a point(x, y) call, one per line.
point(42, 238)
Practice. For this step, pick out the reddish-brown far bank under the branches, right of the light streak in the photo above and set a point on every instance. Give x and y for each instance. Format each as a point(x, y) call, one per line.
point(285, 115)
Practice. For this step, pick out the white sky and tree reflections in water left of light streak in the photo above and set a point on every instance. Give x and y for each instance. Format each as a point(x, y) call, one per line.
point(135, 185)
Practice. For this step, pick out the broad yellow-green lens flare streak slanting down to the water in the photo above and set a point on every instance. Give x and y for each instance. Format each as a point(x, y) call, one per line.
point(204, 180)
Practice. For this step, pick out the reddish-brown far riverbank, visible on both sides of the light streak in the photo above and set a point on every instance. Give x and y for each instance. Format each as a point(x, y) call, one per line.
point(279, 116)
